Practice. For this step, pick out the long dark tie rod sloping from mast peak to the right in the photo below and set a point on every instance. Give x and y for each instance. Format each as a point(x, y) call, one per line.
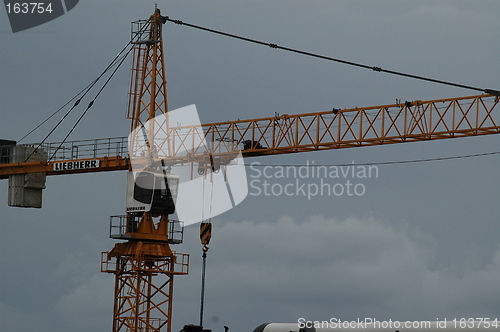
point(350, 63)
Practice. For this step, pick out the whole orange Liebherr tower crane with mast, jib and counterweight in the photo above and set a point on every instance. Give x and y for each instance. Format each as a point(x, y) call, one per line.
point(144, 264)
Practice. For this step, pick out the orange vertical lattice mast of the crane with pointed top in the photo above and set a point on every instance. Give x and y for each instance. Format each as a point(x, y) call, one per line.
point(144, 265)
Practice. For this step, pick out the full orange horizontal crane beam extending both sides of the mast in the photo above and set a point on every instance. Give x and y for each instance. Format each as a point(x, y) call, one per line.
point(366, 126)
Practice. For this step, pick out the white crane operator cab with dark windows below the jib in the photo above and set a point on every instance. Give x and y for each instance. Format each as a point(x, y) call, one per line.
point(151, 192)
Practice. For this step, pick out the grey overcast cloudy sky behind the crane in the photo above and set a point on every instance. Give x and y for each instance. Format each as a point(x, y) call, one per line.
point(421, 243)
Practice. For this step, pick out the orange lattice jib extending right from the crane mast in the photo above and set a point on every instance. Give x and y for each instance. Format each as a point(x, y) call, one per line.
point(387, 124)
